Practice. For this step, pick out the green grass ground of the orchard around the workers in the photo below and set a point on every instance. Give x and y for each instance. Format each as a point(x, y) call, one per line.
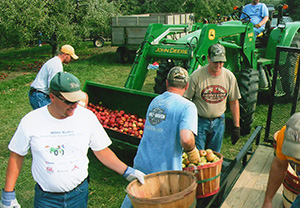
point(18, 69)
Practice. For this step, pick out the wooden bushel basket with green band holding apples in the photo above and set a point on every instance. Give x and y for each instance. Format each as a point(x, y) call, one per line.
point(208, 177)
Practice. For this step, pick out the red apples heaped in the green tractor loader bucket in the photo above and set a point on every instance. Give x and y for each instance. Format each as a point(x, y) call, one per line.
point(119, 120)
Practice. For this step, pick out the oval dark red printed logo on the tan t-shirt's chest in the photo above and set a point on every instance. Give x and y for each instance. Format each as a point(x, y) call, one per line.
point(214, 94)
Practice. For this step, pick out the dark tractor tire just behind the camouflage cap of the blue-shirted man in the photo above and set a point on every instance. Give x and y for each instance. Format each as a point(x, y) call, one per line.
point(161, 76)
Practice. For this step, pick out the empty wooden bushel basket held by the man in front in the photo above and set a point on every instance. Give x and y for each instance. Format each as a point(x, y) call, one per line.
point(165, 189)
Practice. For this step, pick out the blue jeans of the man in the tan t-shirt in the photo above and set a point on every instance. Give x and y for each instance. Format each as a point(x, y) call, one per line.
point(210, 133)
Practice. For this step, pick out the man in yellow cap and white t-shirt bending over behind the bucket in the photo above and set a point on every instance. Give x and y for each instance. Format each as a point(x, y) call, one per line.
point(39, 89)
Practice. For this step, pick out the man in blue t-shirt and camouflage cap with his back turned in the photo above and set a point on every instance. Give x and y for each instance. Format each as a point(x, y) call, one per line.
point(171, 123)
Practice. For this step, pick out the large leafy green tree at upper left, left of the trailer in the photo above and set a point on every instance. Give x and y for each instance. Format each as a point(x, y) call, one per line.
point(58, 22)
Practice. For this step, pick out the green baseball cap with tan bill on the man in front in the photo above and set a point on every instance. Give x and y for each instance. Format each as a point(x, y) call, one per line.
point(68, 86)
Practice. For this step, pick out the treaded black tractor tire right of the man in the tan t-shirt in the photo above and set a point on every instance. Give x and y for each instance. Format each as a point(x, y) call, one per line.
point(248, 85)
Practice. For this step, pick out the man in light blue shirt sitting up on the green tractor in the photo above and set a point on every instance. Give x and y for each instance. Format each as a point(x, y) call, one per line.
point(259, 15)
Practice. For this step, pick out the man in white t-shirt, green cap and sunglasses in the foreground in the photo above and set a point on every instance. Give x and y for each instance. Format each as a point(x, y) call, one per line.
point(59, 136)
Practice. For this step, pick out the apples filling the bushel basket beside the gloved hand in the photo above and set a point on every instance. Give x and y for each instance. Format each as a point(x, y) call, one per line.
point(206, 156)
